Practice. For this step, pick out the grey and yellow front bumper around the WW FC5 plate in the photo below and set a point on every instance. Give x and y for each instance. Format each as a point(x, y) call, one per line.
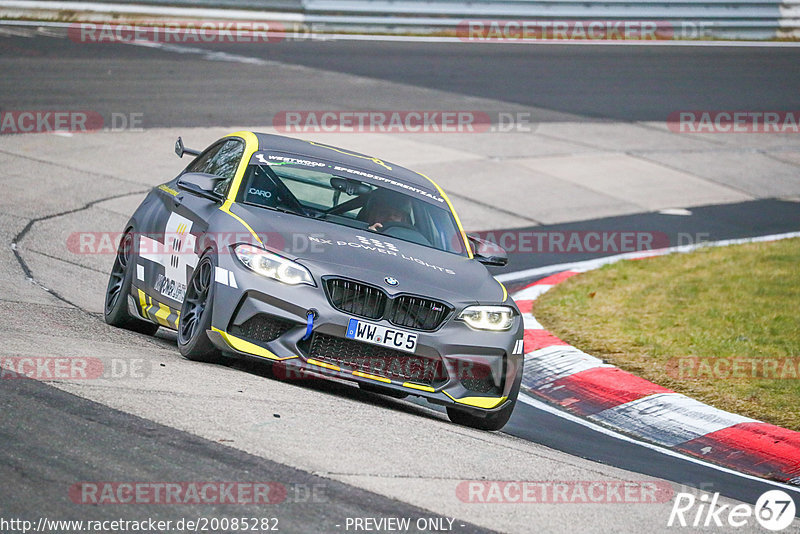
point(453, 365)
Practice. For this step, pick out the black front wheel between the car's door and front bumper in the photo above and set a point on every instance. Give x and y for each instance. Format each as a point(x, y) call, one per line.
point(196, 312)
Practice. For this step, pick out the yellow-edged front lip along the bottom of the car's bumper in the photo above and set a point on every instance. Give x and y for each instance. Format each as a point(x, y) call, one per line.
point(245, 348)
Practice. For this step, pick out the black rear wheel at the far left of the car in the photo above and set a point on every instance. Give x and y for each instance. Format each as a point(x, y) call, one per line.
point(115, 309)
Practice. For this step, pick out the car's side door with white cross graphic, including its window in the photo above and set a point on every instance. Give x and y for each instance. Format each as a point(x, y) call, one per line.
point(182, 220)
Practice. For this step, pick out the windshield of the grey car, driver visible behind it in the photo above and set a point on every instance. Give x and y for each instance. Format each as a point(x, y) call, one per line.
point(319, 194)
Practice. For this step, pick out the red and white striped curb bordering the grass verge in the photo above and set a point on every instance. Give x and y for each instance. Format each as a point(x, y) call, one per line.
point(585, 386)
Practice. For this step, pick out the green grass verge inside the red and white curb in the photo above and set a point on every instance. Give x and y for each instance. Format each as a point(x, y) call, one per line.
point(721, 325)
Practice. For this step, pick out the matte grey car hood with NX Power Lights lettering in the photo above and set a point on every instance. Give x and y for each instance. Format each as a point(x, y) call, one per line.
point(331, 249)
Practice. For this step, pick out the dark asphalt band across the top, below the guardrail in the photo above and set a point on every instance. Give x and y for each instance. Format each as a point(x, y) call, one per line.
point(556, 81)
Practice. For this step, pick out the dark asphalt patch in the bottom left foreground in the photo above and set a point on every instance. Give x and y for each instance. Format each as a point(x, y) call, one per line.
point(55, 439)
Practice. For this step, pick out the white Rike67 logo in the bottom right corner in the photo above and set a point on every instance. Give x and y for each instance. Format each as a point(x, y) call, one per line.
point(774, 510)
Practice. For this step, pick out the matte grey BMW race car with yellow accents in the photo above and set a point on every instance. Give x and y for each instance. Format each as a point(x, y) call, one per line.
point(324, 261)
